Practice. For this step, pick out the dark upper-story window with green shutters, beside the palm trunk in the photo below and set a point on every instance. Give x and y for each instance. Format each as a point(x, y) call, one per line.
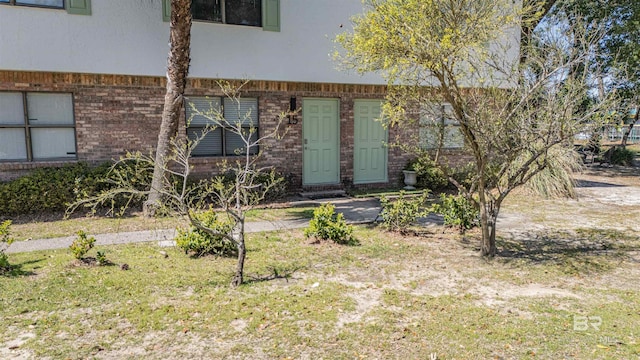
point(238, 12)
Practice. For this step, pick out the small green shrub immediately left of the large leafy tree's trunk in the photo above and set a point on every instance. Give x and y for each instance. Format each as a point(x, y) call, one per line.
point(457, 211)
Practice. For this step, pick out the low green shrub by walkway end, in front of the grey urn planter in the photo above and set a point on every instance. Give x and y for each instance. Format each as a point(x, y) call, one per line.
point(399, 214)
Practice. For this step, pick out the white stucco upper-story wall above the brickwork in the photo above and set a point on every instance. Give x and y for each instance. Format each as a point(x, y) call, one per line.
point(129, 37)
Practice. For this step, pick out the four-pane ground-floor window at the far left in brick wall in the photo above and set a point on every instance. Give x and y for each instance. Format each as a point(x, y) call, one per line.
point(36, 126)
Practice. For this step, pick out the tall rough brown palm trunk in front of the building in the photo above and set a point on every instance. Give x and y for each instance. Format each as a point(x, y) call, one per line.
point(177, 70)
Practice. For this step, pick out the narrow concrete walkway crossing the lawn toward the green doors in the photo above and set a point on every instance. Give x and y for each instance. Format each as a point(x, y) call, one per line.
point(356, 211)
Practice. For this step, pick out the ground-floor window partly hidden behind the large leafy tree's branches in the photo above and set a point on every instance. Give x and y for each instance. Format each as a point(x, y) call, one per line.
point(438, 126)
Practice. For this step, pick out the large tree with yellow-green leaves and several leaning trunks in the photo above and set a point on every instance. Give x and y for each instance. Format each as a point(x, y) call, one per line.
point(512, 114)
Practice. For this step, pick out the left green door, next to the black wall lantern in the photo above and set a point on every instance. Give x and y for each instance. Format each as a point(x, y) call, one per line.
point(321, 141)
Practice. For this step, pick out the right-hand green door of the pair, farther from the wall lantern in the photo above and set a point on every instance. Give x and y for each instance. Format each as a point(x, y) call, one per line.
point(369, 148)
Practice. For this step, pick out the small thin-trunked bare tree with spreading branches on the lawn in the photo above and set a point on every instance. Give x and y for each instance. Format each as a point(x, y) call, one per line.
point(249, 186)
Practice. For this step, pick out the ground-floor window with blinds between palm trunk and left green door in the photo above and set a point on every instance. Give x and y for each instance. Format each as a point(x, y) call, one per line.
point(222, 141)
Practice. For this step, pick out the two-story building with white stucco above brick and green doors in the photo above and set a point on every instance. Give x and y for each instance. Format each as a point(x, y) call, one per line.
point(84, 80)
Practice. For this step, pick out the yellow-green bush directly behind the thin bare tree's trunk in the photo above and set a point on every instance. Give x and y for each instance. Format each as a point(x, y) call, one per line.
point(198, 242)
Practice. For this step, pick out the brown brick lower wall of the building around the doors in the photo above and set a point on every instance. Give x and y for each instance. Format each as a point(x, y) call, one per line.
point(115, 114)
